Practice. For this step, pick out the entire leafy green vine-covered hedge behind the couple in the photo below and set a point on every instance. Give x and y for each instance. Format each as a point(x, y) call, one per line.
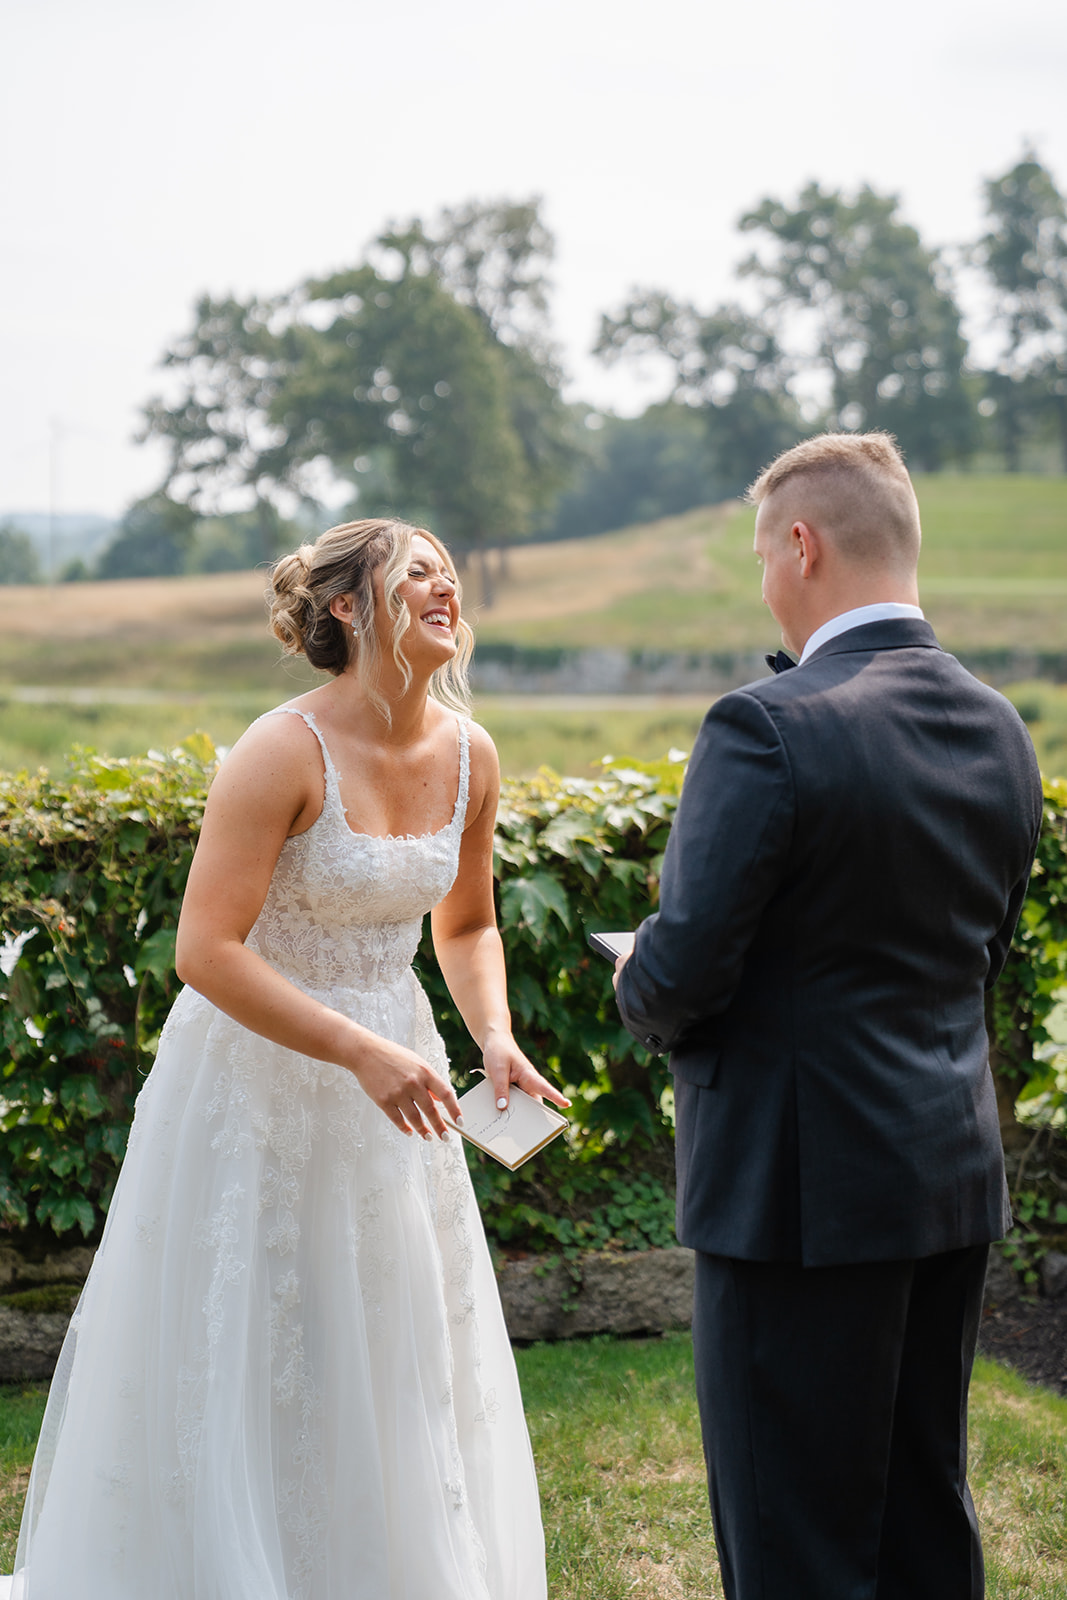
point(92, 871)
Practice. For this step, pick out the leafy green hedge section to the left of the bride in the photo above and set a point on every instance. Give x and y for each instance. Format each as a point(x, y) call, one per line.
point(92, 873)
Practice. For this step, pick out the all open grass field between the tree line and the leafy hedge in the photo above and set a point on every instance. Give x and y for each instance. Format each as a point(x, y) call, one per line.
point(190, 654)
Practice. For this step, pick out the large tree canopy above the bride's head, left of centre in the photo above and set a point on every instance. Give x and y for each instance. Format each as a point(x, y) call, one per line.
point(423, 374)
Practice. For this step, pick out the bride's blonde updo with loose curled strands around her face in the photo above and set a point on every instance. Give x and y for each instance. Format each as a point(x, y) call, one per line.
point(343, 562)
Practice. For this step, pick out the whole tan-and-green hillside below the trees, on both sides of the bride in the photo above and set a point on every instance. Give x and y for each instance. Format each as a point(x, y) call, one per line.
point(994, 575)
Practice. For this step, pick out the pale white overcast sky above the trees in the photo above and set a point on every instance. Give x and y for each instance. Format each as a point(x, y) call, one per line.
point(156, 150)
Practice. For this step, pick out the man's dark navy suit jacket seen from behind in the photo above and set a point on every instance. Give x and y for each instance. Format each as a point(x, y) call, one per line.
point(842, 884)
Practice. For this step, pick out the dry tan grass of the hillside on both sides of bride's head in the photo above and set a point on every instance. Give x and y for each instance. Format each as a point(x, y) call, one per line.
point(209, 633)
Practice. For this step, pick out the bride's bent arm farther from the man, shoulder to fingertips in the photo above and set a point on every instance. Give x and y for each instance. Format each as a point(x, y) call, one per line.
point(271, 785)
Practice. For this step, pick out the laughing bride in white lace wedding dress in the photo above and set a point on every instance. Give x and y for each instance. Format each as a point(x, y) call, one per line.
point(289, 1377)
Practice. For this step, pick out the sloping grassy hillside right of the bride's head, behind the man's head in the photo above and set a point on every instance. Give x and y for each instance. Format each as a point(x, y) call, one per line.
point(994, 575)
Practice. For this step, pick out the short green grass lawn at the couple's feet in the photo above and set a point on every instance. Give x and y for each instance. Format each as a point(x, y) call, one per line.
point(618, 1449)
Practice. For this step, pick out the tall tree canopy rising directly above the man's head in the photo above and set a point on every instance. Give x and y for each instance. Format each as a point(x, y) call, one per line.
point(853, 326)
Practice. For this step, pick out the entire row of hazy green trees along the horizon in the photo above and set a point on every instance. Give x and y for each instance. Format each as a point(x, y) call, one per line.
point(423, 378)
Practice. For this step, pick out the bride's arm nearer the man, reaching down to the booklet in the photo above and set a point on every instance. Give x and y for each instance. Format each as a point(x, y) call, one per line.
point(468, 942)
